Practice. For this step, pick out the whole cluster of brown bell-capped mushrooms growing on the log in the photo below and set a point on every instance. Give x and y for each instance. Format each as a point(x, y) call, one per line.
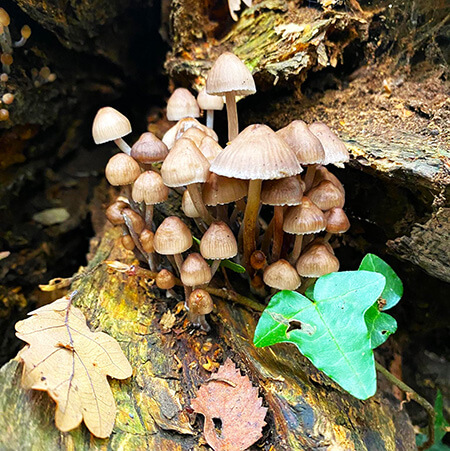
point(266, 200)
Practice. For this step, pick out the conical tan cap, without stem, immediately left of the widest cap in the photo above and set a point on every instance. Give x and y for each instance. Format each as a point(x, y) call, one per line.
point(184, 165)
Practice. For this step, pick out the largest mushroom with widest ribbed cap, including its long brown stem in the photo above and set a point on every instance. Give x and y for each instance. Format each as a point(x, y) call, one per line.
point(257, 154)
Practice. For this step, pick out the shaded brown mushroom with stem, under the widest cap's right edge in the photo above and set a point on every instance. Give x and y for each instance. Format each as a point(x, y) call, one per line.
point(279, 194)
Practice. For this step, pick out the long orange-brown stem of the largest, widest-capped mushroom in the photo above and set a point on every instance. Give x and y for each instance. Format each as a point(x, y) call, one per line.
point(250, 218)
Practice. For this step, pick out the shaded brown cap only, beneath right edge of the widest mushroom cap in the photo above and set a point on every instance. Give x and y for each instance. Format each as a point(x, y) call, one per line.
point(282, 192)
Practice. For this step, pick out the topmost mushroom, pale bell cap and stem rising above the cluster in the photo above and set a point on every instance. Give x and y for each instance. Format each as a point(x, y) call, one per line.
point(230, 77)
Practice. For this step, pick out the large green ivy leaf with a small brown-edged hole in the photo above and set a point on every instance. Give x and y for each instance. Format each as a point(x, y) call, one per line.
point(331, 330)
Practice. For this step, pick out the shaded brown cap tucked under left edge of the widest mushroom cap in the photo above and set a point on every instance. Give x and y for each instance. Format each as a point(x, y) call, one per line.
point(219, 190)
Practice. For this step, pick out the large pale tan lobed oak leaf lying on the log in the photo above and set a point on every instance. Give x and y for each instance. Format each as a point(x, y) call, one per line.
point(66, 359)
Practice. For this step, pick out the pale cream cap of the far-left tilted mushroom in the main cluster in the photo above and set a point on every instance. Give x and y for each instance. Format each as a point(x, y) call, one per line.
point(109, 124)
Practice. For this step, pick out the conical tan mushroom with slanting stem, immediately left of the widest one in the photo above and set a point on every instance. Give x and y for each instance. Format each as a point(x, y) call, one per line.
point(186, 166)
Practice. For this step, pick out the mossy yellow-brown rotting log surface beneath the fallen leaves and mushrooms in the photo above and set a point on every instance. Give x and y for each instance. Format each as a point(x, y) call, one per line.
point(306, 410)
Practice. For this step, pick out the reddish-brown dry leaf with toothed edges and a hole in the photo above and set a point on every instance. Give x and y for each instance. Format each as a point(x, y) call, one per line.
point(230, 398)
